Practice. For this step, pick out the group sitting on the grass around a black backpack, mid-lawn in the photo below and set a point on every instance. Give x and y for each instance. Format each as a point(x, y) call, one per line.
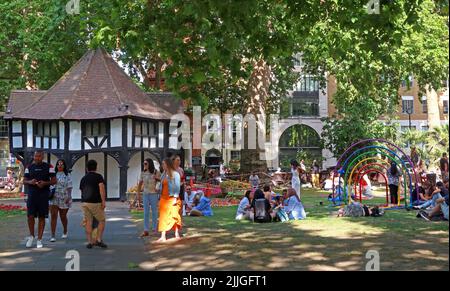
point(267, 206)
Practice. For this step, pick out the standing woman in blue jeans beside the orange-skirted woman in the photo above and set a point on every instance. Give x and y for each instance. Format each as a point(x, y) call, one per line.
point(147, 183)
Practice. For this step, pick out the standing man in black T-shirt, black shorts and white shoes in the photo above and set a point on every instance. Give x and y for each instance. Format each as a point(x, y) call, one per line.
point(38, 177)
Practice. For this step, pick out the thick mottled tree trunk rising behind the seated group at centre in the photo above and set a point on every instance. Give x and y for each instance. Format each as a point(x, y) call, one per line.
point(257, 93)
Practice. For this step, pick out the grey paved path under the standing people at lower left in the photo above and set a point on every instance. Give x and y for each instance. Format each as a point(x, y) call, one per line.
point(125, 250)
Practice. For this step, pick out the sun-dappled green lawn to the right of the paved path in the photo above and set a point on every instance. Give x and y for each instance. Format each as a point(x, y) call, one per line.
point(321, 242)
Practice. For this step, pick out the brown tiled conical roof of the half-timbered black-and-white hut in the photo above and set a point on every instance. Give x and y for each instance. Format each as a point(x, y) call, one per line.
point(96, 87)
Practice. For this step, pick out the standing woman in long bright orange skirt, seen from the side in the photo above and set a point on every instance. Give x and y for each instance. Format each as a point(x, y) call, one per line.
point(170, 203)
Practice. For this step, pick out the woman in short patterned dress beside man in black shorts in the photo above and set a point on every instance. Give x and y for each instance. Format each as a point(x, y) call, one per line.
point(62, 199)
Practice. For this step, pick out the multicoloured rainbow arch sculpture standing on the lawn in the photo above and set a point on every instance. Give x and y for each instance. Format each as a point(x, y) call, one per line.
point(371, 155)
